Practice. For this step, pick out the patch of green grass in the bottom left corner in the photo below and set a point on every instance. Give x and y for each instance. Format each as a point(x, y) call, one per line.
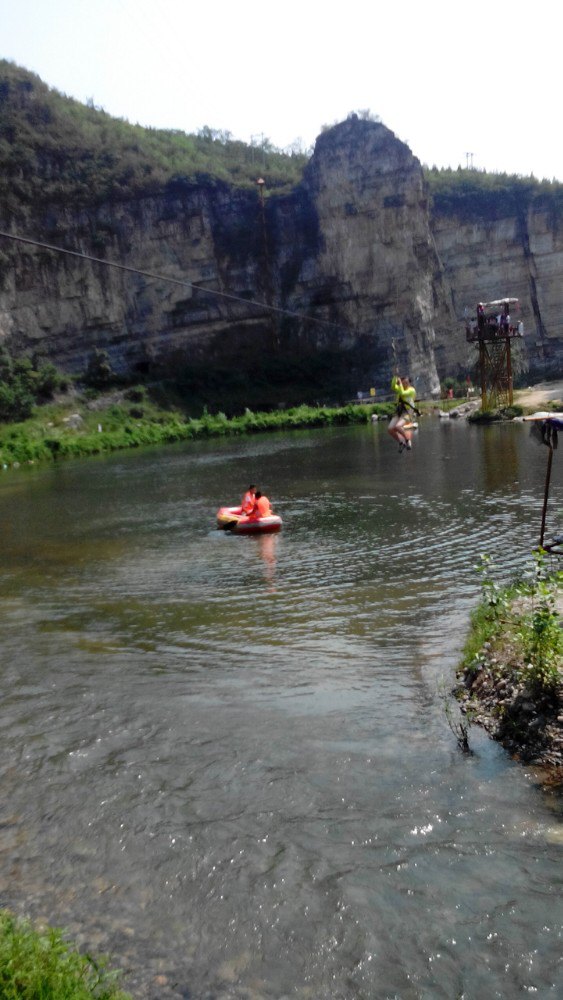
point(40, 965)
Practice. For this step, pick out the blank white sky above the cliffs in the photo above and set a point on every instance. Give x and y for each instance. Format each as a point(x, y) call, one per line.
point(472, 83)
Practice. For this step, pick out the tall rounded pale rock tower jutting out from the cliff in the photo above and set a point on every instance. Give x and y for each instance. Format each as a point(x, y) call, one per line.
point(376, 260)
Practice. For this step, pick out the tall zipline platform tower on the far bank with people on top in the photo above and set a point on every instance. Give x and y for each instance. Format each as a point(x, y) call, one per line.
point(493, 330)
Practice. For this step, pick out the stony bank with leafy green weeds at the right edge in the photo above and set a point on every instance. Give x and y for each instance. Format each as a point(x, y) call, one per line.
point(511, 675)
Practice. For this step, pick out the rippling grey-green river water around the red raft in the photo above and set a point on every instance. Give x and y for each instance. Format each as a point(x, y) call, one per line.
point(226, 761)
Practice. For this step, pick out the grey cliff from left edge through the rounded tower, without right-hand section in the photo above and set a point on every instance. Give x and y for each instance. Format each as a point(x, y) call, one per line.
point(347, 262)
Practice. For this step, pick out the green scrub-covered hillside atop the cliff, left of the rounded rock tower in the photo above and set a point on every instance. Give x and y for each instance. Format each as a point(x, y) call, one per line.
point(55, 149)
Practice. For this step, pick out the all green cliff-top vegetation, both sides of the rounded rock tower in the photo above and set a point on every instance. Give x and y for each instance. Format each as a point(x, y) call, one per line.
point(55, 149)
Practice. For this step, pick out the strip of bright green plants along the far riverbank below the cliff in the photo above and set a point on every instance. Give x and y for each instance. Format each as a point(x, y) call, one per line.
point(77, 429)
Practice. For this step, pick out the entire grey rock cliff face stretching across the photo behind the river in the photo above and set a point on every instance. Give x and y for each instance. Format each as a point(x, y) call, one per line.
point(350, 263)
